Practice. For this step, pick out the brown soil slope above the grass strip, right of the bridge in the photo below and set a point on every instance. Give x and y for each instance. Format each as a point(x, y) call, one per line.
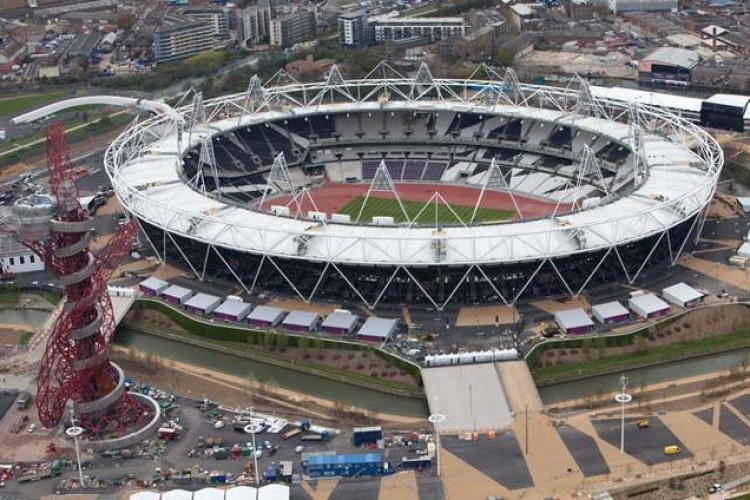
point(697, 324)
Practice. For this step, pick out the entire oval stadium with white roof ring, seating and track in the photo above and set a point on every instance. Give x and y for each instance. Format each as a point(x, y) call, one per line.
point(394, 189)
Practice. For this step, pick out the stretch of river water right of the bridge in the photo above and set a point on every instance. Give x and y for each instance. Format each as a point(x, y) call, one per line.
point(643, 376)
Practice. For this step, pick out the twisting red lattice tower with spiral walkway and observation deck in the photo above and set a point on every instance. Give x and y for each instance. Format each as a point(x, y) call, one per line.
point(75, 366)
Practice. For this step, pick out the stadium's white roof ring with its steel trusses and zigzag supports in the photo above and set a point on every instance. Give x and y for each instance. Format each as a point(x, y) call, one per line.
point(537, 243)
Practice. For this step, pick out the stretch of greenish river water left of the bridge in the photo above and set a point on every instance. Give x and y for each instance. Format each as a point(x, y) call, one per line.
point(274, 375)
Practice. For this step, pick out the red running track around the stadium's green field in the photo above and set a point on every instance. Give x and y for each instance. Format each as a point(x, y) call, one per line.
point(332, 196)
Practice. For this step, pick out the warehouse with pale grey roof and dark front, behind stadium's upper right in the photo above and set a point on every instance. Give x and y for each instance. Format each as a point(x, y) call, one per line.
point(668, 65)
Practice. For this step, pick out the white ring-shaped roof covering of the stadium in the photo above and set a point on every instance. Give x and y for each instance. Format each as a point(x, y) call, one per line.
point(678, 185)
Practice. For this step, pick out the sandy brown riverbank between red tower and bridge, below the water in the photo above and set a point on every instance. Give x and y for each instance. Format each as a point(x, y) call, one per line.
point(199, 382)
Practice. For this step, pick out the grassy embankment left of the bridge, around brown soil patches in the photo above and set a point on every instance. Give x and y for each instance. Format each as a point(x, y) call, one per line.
point(254, 344)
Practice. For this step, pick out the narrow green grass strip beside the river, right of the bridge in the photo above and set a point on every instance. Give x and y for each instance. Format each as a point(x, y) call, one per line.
point(648, 355)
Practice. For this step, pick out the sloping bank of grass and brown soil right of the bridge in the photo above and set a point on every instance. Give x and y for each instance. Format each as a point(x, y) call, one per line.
point(601, 359)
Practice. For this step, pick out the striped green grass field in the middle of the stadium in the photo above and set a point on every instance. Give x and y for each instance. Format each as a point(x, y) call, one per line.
point(381, 207)
